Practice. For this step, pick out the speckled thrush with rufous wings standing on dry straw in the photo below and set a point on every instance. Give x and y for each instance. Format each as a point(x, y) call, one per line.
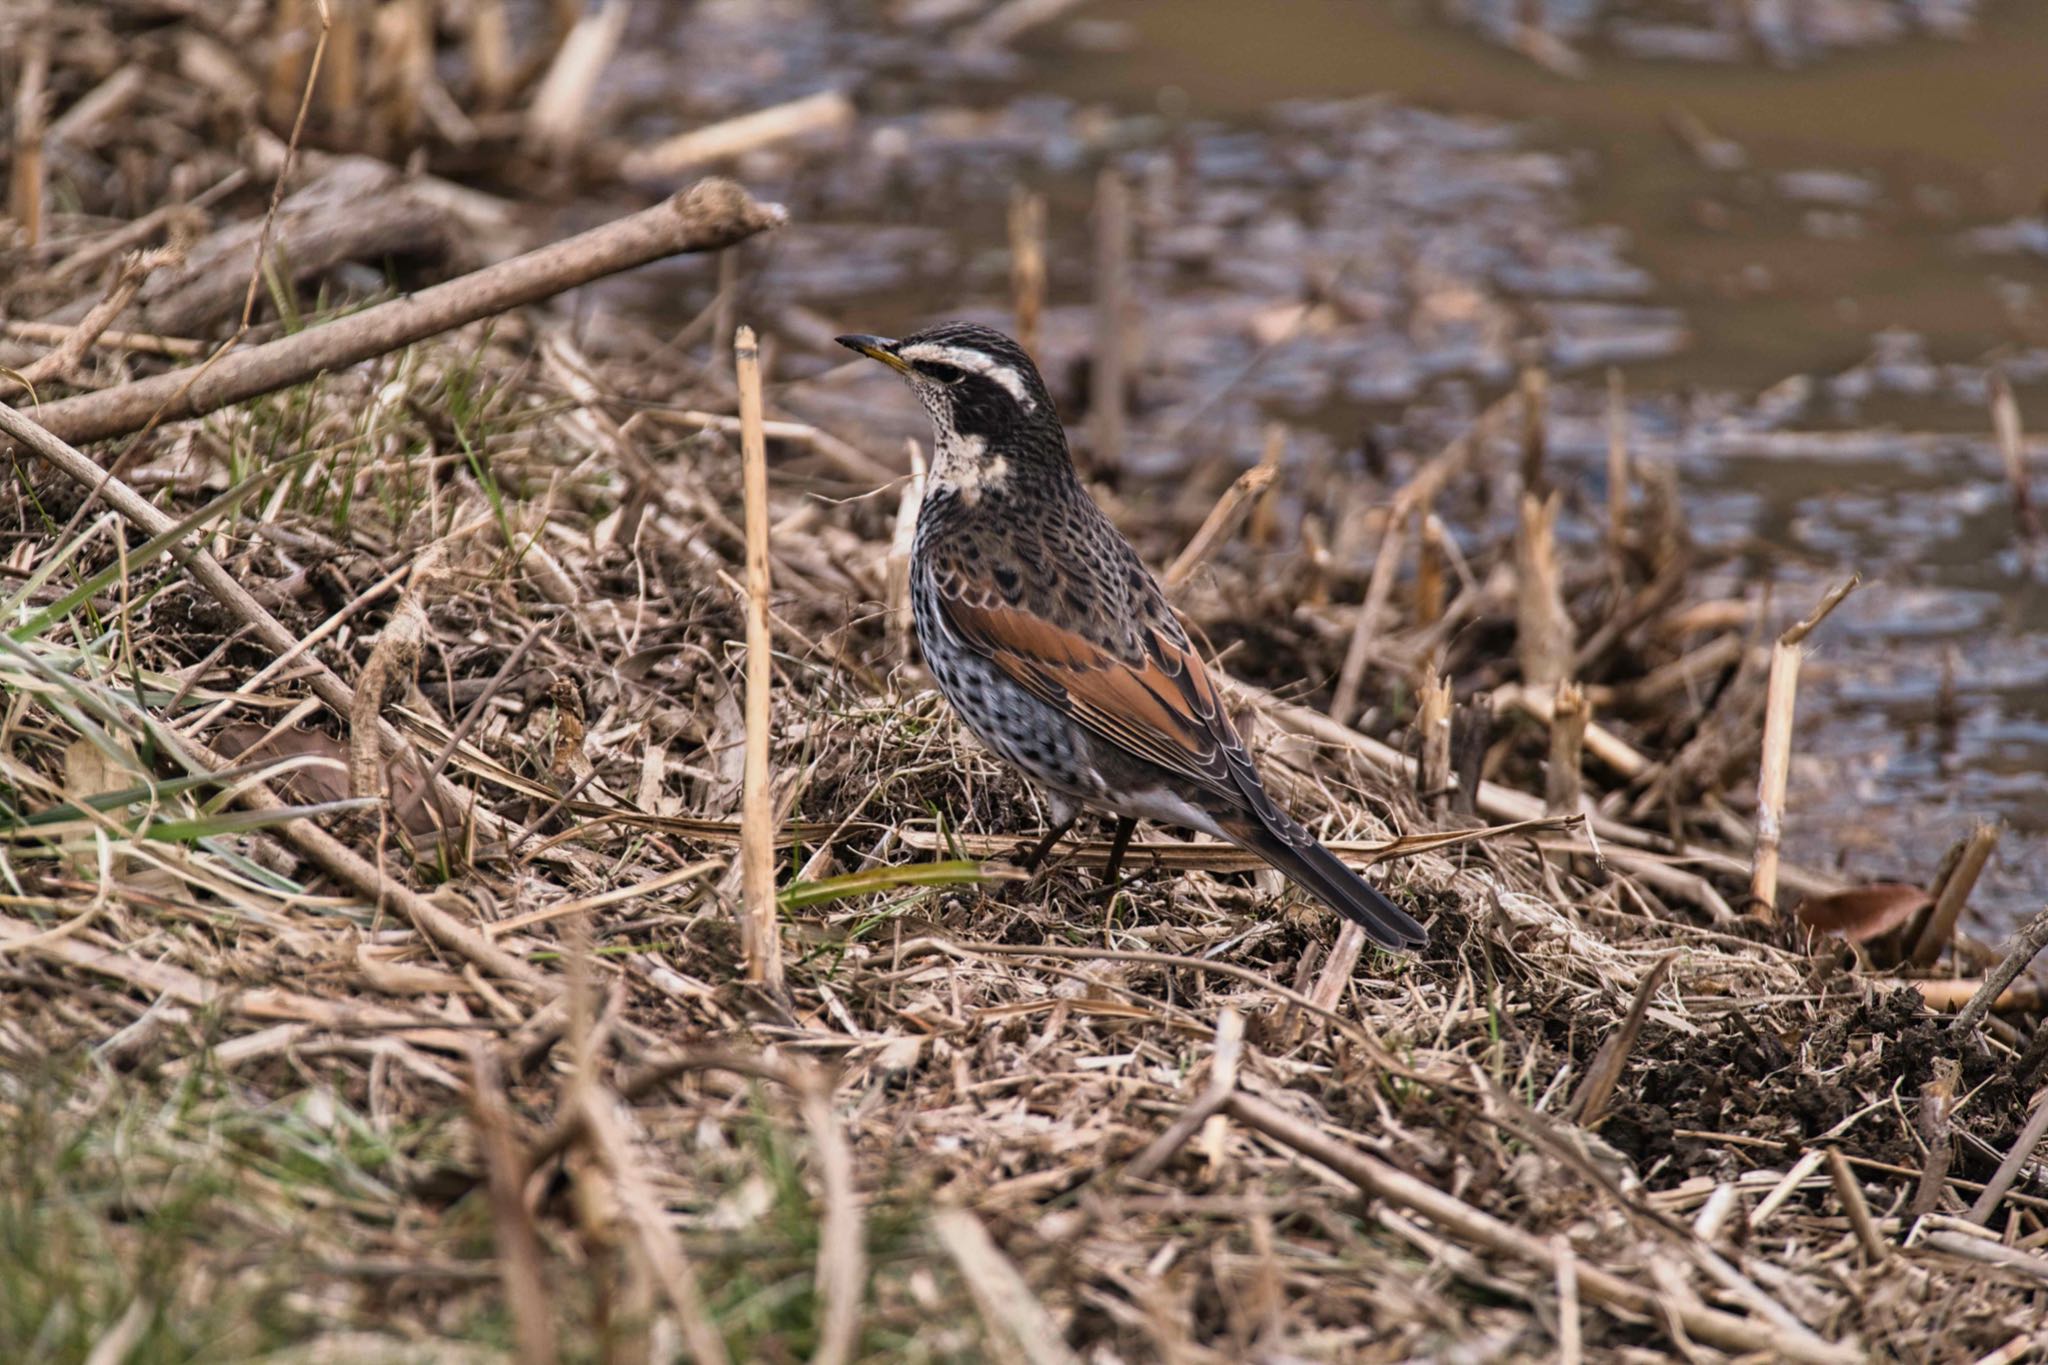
point(1056, 644)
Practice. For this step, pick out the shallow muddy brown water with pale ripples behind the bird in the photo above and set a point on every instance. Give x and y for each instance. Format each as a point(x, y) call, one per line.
point(1447, 202)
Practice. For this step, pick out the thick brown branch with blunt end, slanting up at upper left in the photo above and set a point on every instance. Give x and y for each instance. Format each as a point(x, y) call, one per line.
point(706, 218)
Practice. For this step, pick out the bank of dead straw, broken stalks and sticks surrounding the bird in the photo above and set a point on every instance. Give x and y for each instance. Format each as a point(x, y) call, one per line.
point(382, 979)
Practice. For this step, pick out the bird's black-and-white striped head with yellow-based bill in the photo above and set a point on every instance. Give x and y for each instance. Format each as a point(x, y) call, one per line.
point(972, 380)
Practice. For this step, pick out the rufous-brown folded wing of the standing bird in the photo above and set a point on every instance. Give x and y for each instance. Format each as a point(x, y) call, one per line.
point(1160, 707)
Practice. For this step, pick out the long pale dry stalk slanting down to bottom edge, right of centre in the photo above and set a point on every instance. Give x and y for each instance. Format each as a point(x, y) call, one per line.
point(1480, 1229)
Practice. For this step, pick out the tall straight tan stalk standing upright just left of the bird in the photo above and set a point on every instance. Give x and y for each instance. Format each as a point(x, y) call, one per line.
point(757, 803)
